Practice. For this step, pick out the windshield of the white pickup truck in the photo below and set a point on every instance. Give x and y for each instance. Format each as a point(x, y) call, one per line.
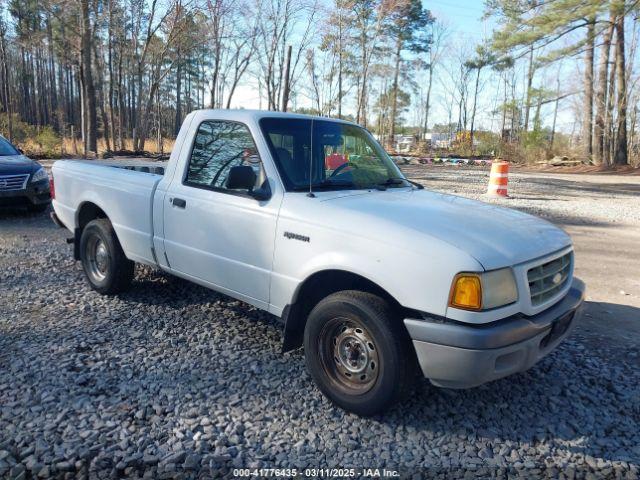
point(344, 156)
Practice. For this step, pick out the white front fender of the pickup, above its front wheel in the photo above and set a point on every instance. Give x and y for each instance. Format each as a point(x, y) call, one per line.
point(416, 280)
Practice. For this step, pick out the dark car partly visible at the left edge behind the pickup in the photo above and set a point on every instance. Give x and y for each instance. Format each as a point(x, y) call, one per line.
point(23, 182)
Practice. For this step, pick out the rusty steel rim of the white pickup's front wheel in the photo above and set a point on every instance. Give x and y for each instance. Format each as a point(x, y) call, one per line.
point(349, 355)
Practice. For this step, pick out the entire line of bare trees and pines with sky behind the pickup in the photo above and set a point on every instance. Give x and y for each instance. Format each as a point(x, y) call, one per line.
point(124, 72)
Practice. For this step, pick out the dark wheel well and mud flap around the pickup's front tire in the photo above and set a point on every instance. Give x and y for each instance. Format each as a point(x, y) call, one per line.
point(315, 288)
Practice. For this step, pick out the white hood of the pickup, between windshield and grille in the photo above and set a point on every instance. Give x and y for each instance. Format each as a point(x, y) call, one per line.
point(495, 236)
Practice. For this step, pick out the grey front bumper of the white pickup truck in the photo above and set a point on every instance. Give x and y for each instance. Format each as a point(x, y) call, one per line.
point(455, 355)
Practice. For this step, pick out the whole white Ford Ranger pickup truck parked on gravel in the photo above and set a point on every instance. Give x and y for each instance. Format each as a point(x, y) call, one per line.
point(309, 219)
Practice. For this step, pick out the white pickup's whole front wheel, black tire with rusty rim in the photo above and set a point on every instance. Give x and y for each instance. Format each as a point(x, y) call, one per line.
point(357, 376)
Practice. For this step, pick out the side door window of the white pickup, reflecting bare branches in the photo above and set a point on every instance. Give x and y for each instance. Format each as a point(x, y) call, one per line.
point(220, 145)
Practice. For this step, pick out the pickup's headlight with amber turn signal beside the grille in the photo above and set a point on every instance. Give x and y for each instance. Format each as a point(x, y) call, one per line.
point(483, 291)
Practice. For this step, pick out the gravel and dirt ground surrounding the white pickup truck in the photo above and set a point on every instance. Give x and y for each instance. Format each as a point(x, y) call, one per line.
point(172, 380)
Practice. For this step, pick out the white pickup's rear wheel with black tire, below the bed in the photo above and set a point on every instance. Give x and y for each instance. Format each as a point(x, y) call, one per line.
point(105, 265)
